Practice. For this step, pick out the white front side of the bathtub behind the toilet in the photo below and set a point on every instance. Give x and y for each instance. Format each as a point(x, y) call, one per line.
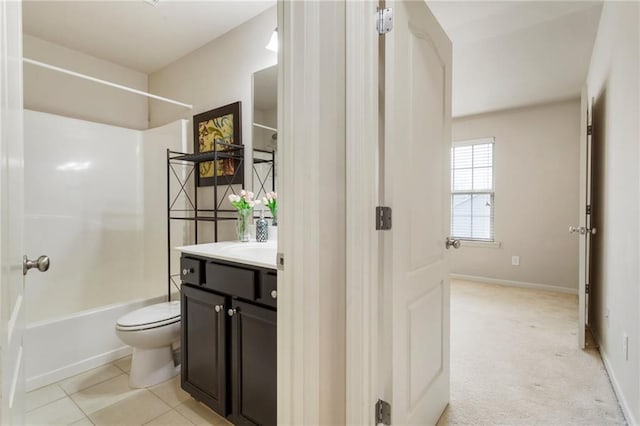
point(64, 347)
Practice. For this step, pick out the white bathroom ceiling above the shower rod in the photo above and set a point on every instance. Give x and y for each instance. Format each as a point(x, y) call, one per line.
point(133, 33)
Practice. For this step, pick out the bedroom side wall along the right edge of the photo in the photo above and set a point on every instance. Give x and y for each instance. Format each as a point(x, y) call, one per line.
point(613, 81)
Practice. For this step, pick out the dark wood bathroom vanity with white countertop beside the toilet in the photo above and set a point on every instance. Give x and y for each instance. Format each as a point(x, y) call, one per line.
point(229, 294)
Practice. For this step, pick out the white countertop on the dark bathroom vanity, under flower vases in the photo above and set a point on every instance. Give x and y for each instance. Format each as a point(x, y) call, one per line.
point(249, 253)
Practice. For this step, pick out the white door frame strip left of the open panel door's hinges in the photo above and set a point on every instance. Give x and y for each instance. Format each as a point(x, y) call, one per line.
point(363, 186)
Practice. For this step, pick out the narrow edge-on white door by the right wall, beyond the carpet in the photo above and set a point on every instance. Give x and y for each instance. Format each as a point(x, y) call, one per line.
point(584, 229)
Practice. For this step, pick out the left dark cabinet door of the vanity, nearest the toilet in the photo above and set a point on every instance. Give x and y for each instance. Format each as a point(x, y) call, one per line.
point(204, 356)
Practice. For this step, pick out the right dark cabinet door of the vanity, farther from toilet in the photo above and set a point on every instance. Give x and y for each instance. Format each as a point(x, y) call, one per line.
point(253, 360)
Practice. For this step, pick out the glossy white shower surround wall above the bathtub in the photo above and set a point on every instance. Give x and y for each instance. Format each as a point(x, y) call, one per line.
point(96, 205)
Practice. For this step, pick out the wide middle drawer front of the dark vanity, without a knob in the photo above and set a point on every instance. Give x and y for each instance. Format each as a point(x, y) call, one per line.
point(231, 280)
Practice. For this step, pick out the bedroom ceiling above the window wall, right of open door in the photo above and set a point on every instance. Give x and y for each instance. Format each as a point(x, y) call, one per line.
point(514, 54)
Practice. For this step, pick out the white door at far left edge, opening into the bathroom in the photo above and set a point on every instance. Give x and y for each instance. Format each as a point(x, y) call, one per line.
point(11, 213)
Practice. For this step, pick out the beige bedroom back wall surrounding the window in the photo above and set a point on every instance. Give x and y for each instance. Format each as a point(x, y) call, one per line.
point(536, 195)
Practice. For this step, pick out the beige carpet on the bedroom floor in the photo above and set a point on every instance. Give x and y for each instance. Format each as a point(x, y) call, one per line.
point(515, 361)
